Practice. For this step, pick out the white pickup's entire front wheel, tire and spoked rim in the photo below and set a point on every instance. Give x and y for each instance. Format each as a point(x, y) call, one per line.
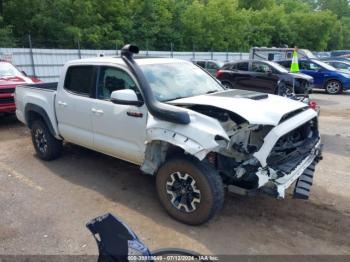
point(190, 191)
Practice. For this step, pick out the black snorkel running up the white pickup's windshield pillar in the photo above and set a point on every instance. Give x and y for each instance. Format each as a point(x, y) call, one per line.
point(157, 109)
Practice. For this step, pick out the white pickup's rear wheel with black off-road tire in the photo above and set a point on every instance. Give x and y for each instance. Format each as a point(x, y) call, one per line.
point(53, 148)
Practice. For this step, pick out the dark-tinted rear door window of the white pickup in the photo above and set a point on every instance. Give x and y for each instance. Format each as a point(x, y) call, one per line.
point(80, 80)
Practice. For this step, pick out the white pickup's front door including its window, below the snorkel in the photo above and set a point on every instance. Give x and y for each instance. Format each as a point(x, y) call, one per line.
point(119, 130)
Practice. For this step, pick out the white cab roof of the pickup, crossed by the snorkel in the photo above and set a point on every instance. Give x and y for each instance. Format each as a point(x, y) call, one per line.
point(118, 60)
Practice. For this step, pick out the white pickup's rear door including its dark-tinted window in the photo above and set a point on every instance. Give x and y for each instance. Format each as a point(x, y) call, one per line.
point(73, 105)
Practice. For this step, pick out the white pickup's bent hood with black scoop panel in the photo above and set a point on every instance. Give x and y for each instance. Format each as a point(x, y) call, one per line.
point(256, 108)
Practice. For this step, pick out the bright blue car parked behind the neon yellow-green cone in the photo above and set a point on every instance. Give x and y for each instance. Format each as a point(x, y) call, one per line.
point(325, 76)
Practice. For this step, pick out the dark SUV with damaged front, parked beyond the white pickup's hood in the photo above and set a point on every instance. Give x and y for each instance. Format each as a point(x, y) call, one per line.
point(262, 76)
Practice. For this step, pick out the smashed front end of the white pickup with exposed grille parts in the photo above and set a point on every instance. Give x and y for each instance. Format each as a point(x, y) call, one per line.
point(269, 158)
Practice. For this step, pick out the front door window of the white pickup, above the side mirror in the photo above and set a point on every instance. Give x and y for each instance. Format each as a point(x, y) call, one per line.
point(112, 79)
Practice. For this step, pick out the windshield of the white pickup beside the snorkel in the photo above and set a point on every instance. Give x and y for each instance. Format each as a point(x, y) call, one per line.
point(171, 81)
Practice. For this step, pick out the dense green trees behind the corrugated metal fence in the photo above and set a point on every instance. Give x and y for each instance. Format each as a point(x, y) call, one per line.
point(202, 25)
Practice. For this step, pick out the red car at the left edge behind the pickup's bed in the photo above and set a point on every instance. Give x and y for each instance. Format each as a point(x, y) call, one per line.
point(10, 77)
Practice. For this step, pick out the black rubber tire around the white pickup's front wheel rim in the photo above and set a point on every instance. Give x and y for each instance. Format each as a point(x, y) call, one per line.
point(208, 182)
